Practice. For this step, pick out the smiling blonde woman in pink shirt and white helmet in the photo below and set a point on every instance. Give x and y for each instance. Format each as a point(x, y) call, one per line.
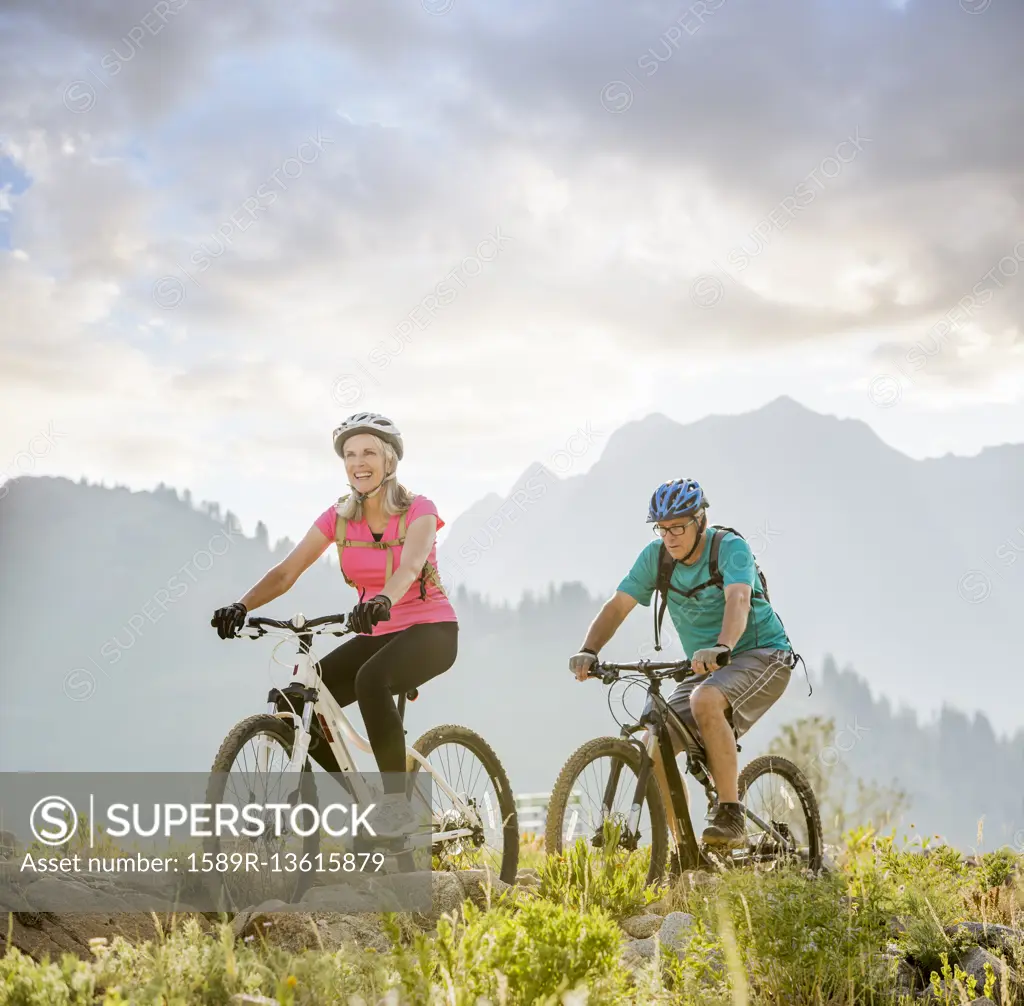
point(408, 631)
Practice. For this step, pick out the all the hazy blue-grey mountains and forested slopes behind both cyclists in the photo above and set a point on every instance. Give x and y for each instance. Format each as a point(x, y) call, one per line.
point(877, 563)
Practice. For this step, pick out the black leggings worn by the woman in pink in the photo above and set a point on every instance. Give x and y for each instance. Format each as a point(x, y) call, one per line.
point(372, 669)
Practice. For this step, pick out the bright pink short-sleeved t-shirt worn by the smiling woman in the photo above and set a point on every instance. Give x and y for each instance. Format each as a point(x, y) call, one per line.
point(367, 567)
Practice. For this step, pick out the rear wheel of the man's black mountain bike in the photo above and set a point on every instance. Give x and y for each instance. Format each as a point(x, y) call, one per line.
point(776, 793)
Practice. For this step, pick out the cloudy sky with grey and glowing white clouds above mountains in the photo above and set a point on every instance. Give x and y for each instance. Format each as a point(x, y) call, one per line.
point(226, 226)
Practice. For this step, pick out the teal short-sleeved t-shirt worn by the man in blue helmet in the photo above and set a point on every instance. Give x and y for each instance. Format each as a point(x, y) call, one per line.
point(699, 620)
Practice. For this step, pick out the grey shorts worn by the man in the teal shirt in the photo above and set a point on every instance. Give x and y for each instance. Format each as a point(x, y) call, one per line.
point(752, 684)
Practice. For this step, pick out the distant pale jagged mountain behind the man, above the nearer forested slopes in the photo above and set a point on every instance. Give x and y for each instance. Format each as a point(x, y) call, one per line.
point(913, 570)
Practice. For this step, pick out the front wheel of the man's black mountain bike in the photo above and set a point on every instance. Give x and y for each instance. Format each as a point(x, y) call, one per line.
point(596, 786)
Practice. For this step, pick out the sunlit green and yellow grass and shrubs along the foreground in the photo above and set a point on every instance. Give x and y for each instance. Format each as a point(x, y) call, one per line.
point(774, 939)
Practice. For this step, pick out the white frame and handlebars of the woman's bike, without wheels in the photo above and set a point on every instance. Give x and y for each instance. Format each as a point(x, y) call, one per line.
point(307, 687)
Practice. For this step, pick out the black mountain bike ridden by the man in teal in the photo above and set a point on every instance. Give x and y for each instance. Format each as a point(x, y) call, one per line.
point(612, 781)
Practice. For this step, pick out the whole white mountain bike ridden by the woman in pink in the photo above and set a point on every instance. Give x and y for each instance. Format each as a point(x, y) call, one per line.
point(474, 814)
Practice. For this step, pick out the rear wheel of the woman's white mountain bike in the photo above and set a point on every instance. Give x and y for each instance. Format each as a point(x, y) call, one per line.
point(483, 816)
